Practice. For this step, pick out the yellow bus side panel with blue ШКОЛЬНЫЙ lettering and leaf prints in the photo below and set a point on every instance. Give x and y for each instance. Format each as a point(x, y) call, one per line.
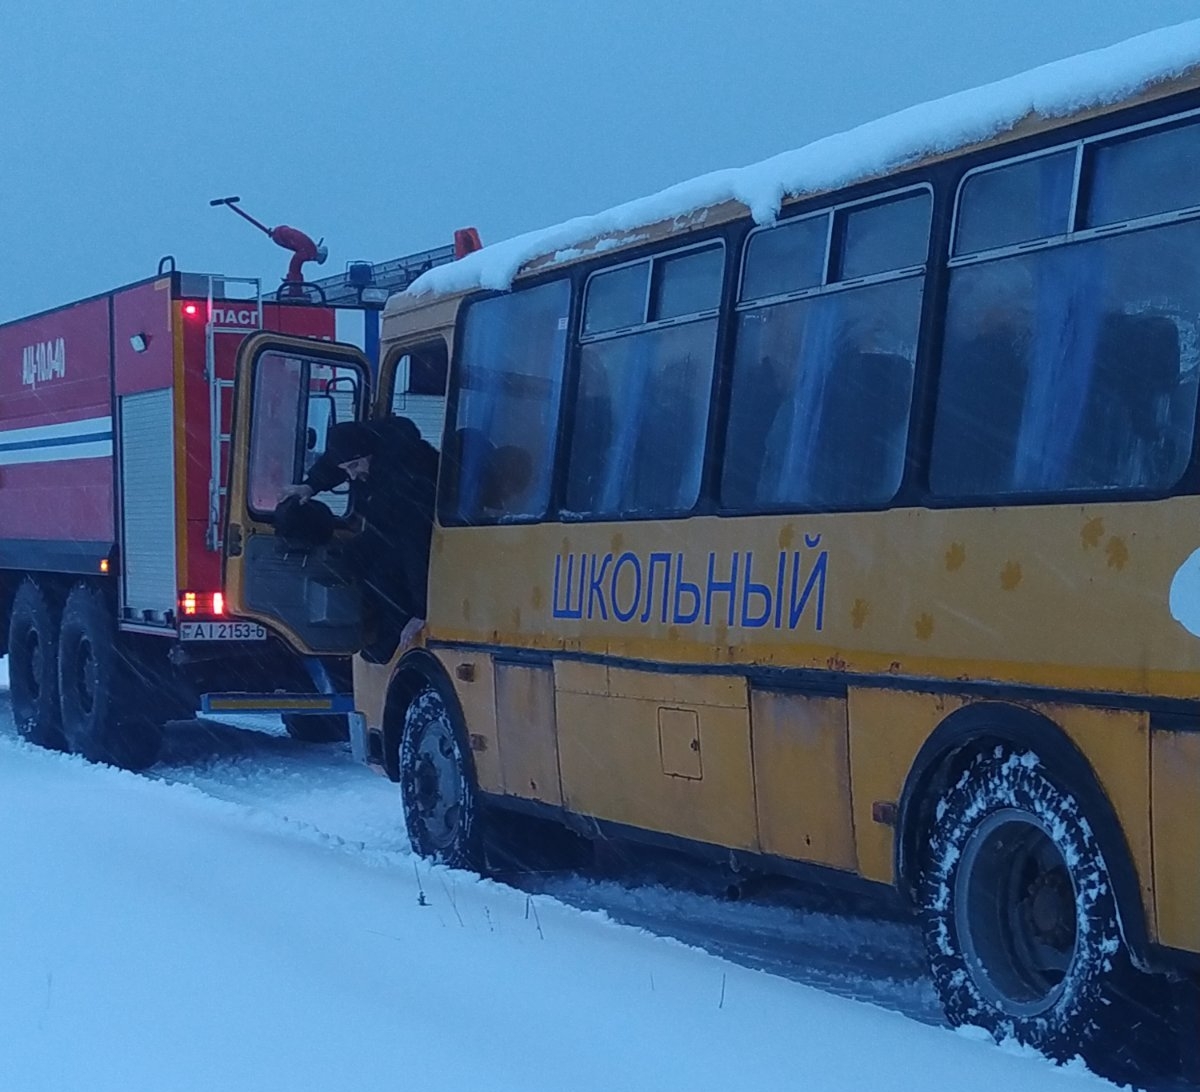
point(1084, 607)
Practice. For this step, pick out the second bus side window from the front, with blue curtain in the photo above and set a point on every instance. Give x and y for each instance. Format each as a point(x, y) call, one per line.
point(641, 407)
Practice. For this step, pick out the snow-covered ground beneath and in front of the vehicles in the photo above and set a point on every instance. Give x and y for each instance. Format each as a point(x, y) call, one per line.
point(249, 917)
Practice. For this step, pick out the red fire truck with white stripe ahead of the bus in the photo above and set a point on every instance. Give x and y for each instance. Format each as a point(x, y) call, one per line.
point(115, 429)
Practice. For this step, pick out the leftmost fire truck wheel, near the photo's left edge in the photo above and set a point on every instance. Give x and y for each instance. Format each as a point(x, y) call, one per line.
point(33, 668)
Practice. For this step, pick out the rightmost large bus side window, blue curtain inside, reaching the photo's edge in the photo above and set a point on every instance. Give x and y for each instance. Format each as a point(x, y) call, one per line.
point(1072, 367)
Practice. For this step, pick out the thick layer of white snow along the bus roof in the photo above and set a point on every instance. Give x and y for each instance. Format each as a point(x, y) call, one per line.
point(1060, 89)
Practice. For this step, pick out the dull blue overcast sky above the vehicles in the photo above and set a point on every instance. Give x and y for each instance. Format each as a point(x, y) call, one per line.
point(383, 127)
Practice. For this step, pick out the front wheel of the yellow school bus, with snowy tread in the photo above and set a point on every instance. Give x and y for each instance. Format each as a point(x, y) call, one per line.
point(437, 785)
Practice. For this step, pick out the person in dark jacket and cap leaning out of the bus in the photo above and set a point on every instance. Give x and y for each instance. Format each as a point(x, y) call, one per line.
point(393, 477)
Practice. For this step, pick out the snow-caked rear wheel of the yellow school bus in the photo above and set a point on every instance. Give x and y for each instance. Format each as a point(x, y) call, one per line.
point(1019, 914)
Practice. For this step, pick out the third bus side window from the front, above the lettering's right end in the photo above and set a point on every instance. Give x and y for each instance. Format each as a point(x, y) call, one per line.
point(823, 386)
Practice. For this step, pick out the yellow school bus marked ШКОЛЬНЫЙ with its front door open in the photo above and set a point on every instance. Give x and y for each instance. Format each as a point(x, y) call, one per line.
point(859, 538)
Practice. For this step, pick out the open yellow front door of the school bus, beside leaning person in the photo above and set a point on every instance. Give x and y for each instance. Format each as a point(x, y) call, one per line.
point(289, 393)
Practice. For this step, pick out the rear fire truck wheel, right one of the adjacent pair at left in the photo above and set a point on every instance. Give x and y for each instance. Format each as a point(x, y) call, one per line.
point(97, 688)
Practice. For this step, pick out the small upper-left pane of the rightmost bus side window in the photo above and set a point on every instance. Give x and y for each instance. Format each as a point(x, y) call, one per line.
point(1016, 203)
